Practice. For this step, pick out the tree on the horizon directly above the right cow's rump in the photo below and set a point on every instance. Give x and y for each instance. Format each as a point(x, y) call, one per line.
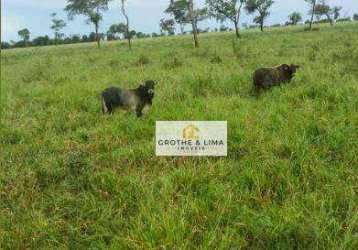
point(262, 7)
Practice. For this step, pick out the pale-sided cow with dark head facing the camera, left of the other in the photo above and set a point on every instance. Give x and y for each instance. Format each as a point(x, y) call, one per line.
point(138, 100)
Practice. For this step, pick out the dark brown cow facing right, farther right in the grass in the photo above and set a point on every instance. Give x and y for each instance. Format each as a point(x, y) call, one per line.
point(265, 78)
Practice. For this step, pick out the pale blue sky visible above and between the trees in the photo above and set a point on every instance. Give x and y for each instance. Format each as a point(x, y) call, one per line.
point(144, 15)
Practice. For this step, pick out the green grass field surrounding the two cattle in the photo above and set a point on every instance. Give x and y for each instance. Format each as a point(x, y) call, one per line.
point(72, 178)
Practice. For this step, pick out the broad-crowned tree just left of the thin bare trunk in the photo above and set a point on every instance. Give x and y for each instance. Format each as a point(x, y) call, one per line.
point(89, 8)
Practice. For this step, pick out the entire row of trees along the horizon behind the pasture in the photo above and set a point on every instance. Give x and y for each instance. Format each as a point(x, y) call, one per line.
point(182, 12)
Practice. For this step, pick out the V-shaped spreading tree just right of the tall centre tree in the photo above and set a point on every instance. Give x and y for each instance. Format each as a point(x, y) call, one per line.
point(226, 9)
